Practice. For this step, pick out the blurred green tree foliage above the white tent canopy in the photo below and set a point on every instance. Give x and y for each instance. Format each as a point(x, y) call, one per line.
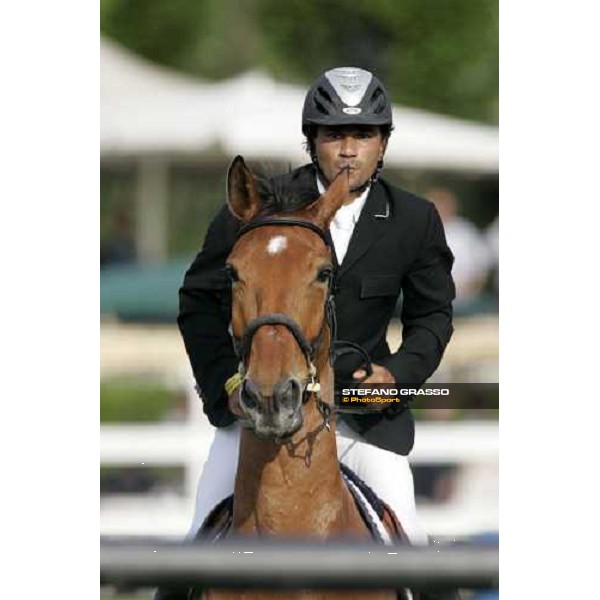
point(439, 55)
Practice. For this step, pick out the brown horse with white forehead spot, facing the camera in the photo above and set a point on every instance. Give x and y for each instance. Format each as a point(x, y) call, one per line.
point(288, 480)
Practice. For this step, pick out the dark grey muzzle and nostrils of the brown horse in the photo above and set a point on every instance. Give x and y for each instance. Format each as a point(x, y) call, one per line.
point(276, 416)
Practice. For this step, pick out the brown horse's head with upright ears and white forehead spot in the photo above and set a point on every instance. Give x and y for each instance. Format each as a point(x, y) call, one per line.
point(281, 281)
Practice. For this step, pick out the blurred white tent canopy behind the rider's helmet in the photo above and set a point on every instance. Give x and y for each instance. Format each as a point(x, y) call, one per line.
point(146, 110)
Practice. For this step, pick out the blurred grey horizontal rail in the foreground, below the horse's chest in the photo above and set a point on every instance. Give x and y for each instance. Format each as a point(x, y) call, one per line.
point(285, 566)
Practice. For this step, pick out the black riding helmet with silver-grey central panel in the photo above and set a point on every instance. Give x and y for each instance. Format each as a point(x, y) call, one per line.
point(346, 96)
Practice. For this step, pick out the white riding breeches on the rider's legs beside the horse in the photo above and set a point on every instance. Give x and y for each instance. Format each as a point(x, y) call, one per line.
point(386, 473)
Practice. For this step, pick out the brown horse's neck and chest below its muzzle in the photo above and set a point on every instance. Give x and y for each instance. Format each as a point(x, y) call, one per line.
point(295, 488)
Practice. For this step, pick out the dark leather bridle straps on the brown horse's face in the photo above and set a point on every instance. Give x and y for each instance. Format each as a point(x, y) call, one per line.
point(243, 344)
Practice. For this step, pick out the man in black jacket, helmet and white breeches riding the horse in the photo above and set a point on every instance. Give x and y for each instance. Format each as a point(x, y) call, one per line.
point(388, 242)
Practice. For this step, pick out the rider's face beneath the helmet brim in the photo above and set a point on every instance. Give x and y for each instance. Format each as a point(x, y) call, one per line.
point(356, 147)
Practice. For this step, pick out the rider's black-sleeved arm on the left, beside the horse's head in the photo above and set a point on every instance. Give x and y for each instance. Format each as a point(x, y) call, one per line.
point(204, 315)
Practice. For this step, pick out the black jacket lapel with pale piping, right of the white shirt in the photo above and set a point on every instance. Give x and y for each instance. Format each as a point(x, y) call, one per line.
point(369, 227)
